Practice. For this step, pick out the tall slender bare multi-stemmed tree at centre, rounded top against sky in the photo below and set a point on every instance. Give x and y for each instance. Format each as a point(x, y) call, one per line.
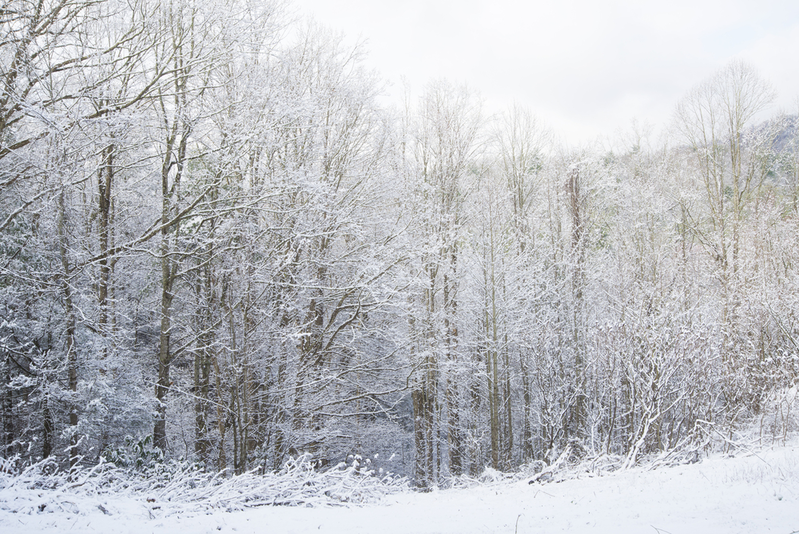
point(444, 145)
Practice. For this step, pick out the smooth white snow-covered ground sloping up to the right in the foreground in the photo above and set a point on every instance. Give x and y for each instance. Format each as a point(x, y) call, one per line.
point(748, 493)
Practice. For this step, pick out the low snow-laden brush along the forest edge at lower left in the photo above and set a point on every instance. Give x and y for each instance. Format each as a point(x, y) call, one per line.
point(179, 486)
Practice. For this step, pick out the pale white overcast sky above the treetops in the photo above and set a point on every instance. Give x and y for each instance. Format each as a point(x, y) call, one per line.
point(586, 67)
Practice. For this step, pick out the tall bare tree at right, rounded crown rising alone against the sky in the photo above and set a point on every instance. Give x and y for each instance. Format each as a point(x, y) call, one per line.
point(732, 157)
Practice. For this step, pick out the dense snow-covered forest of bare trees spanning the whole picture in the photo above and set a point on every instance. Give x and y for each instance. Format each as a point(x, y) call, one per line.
point(219, 245)
